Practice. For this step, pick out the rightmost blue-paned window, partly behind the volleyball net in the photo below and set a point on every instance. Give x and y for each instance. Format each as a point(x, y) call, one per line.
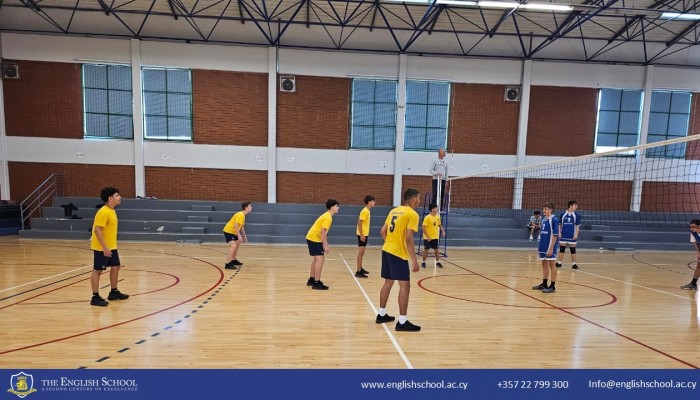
point(668, 119)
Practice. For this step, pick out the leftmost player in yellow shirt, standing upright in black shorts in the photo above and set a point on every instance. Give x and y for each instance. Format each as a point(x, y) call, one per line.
point(104, 245)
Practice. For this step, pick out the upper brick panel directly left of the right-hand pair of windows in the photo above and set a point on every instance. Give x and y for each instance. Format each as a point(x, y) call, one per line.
point(562, 121)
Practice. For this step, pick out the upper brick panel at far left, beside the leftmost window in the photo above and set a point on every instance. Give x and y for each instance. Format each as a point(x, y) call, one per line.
point(46, 101)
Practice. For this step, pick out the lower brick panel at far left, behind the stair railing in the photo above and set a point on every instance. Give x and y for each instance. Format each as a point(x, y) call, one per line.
point(80, 180)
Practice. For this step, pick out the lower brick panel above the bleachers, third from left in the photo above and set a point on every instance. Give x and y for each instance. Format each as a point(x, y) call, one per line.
point(311, 188)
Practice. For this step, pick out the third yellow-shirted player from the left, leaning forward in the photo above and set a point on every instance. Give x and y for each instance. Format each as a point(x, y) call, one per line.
point(317, 240)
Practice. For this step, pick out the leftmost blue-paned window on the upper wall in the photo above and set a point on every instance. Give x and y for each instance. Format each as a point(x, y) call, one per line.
point(107, 101)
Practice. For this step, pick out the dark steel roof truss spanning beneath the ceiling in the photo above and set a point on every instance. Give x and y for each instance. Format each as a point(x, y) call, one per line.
point(405, 23)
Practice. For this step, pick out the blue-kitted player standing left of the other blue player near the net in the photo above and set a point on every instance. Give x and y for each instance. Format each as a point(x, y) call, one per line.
point(547, 250)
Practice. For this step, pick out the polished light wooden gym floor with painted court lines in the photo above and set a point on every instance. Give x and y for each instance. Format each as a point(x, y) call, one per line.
point(621, 310)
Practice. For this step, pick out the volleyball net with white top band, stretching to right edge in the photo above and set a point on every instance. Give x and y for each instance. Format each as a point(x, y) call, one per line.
point(656, 184)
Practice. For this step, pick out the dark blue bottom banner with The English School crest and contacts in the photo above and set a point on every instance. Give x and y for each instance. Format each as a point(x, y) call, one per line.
point(350, 384)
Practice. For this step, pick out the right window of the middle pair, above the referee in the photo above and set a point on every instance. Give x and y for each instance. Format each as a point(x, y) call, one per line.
point(427, 110)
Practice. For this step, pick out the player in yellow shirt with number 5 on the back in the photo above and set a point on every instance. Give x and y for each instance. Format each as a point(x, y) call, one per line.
point(397, 232)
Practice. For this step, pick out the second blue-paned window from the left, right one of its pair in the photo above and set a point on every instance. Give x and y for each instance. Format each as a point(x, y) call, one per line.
point(167, 97)
